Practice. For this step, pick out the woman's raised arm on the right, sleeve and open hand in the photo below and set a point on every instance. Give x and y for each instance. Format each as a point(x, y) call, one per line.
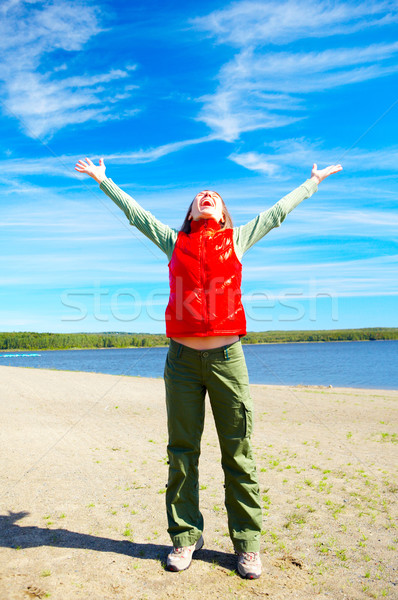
point(247, 235)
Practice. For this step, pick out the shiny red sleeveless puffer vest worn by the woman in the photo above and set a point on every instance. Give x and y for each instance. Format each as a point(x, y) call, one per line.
point(205, 283)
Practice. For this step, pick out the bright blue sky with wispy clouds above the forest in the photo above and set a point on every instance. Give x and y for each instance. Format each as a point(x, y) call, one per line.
point(178, 96)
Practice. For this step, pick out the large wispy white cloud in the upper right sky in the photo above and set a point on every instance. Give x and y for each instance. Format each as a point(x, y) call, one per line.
point(266, 88)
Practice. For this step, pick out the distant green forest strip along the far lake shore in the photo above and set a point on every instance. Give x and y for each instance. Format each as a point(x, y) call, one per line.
point(66, 341)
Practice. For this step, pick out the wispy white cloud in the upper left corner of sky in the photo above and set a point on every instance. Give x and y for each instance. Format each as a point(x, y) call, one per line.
point(38, 89)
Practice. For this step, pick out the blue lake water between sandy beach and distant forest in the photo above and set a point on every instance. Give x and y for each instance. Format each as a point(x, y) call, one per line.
point(340, 364)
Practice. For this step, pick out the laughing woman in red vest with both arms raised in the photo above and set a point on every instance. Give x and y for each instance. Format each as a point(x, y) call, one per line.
point(205, 320)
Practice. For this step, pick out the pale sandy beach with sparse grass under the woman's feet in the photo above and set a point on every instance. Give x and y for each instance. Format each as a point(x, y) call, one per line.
point(83, 474)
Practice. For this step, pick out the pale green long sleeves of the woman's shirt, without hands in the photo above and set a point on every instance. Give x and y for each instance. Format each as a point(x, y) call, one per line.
point(244, 236)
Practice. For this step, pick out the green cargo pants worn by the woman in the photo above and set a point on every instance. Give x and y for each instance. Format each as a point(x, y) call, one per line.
point(222, 372)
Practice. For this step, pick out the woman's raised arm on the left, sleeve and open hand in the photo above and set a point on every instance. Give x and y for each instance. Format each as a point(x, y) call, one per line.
point(160, 234)
